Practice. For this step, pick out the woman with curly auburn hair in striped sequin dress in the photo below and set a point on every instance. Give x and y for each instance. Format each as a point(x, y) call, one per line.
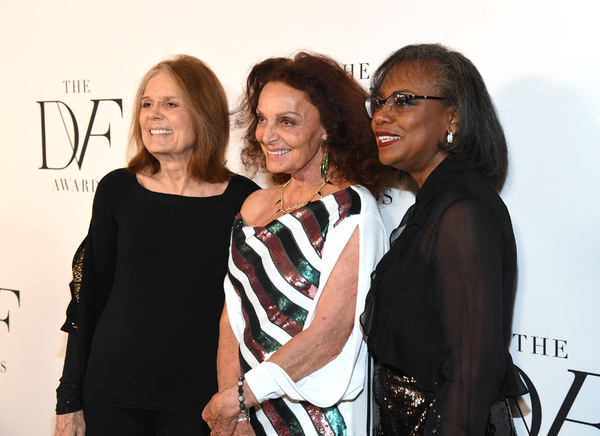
point(291, 351)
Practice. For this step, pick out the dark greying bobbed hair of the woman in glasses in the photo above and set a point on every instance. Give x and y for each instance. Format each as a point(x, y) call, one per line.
point(479, 140)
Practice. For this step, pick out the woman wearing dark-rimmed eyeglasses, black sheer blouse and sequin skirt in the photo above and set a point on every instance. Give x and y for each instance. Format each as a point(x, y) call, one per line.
point(438, 314)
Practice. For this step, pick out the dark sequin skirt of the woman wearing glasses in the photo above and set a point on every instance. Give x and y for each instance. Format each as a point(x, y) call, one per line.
point(401, 407)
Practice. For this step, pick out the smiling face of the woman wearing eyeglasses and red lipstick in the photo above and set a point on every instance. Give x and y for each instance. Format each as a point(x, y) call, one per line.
point(411, 140)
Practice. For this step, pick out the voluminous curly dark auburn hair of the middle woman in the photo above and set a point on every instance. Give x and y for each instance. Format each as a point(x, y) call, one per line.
point(340, 101)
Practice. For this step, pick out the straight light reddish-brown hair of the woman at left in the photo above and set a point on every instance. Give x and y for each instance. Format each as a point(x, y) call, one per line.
point(205, 98)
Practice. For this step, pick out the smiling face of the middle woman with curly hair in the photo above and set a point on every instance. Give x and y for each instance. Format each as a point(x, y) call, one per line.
point(289, 131)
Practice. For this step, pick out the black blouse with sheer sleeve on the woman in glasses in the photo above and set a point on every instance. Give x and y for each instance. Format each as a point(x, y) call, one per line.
point(442, 298)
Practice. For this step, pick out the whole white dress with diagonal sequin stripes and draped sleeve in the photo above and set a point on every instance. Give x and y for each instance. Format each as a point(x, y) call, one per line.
point(276, 276)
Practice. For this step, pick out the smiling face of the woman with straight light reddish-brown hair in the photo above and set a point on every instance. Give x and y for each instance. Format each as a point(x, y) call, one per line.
point(166, 123)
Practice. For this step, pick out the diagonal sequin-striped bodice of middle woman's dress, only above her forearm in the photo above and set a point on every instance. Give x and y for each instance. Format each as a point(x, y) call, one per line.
point(278, 264)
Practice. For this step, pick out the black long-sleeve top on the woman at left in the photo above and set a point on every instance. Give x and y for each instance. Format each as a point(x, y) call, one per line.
point(151, 297)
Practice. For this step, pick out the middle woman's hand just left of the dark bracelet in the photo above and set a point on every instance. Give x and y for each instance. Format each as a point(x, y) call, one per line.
point(222, 412)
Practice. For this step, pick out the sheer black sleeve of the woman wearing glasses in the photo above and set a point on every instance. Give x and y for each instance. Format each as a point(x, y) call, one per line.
point(469, 265)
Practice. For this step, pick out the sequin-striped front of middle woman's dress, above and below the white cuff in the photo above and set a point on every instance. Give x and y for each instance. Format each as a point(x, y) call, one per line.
point(275, 270)
